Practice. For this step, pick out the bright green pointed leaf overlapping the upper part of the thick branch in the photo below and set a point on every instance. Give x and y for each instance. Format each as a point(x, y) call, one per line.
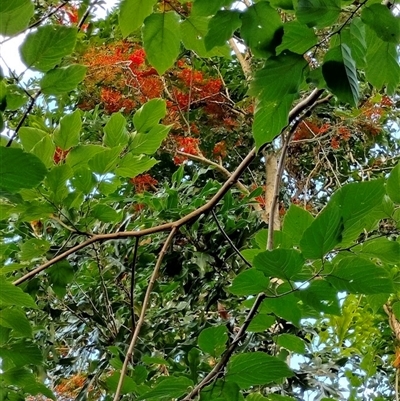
point(270, 118)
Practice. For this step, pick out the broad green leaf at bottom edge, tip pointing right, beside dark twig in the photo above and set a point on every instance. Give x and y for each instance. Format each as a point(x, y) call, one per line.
point(256, 368)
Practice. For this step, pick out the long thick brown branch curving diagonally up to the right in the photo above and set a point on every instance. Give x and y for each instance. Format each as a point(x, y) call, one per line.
point(308, 101)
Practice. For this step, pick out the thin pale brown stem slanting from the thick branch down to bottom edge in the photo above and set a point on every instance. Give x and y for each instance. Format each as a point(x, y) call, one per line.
point(142, 316)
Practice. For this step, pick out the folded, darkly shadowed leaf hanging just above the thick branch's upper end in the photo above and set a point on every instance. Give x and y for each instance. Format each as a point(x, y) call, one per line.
point(340, 74)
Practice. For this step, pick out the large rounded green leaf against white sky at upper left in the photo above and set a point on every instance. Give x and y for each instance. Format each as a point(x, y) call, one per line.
point(45, 48)
